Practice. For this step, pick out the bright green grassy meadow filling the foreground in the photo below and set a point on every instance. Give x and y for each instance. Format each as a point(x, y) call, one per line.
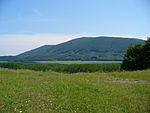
point(42, 92)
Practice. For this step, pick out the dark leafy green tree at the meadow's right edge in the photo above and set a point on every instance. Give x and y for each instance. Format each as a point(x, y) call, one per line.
point(137, 57)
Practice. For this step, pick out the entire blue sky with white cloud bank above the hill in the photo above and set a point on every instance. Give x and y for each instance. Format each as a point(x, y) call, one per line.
point(28, 24)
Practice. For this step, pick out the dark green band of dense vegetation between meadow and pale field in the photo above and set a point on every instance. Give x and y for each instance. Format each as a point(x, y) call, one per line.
point(66, 68)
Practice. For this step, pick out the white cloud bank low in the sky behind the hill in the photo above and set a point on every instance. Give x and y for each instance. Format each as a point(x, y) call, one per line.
point(14, 44)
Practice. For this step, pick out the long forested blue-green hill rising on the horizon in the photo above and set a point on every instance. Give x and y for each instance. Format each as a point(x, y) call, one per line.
point(85, 48)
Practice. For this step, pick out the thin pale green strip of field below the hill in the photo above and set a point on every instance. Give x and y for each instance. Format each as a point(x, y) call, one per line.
point(78, 62)
